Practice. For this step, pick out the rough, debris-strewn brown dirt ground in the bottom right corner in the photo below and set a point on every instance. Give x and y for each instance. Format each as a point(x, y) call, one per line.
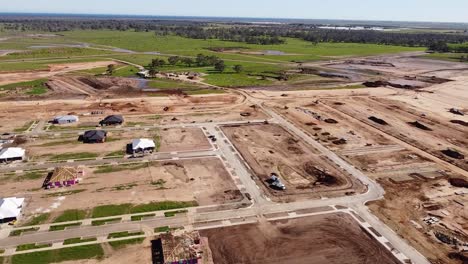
point(407, 204)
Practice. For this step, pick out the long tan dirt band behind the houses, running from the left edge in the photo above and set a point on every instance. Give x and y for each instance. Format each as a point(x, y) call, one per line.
point(137, 111)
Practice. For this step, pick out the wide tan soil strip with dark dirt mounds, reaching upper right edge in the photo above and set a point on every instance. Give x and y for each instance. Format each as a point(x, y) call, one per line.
point(434, 136)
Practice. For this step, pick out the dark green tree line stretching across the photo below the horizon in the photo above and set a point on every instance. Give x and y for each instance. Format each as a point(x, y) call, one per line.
point(238, 32)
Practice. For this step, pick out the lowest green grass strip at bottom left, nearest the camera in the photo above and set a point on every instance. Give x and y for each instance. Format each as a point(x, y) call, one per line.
point(60, 255)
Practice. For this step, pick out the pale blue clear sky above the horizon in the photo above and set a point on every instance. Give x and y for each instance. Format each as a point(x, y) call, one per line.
point(408, 10)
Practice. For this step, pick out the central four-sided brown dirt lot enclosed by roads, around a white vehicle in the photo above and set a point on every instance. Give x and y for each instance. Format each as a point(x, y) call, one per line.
point(271, 149)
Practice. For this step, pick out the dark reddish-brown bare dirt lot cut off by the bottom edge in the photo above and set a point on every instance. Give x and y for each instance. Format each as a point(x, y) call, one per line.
point(333, 238)
